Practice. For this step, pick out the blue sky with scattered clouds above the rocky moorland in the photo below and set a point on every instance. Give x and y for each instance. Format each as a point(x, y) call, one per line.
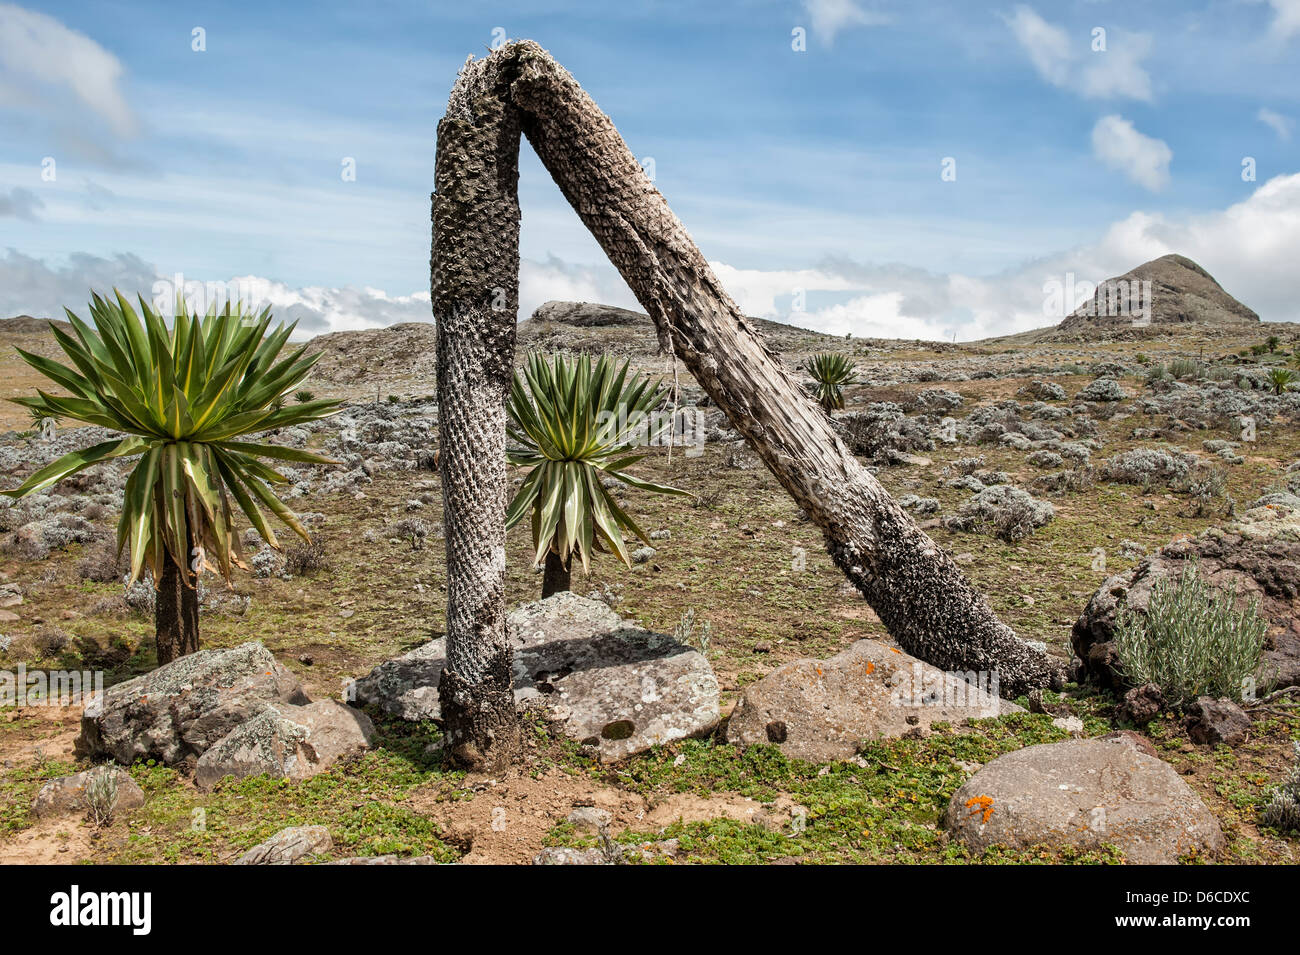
point(816, 170)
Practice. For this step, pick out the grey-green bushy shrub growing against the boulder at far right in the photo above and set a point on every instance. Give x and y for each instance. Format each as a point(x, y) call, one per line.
point(1193, 641)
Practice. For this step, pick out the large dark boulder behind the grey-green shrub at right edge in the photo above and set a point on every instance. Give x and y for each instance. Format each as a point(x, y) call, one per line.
point(1259, 555)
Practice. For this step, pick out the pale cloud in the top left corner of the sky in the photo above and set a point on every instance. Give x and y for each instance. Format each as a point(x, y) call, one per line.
point(38, 54)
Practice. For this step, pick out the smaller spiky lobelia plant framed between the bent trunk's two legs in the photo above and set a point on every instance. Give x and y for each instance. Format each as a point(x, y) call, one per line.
point(577, 426)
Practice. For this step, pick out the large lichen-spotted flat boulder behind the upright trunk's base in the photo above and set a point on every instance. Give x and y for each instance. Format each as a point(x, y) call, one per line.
point(601, 679)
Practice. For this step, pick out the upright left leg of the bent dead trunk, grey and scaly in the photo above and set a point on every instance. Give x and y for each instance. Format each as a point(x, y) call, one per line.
point(475, 286)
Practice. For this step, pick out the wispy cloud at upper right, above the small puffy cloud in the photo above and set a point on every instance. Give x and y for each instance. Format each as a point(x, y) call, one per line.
point(1072, 64)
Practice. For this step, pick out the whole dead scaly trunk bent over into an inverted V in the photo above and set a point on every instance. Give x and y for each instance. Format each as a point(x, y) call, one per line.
point(917, 591)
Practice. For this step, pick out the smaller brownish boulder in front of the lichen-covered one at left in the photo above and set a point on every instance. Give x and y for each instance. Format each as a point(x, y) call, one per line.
point(287, 741)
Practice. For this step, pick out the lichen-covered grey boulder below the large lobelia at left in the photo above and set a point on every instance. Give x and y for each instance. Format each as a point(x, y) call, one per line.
point(180, 710)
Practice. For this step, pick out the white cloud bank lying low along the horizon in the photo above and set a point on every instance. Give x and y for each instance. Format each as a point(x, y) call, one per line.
point(1249, 248)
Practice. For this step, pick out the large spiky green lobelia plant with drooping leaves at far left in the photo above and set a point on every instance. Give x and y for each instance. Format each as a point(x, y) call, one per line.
point(184, 397)
